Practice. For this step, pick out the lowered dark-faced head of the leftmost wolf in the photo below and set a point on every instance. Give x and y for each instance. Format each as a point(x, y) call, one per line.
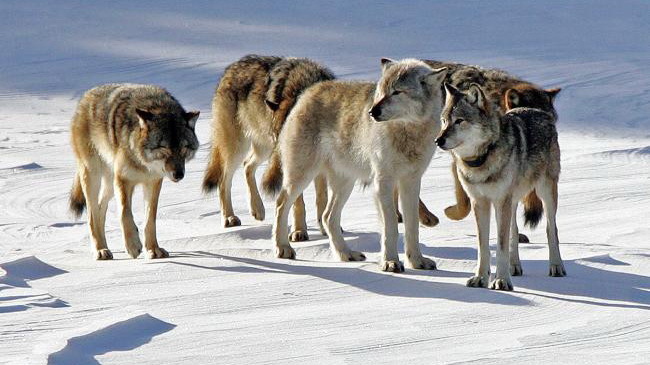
point(167, 141)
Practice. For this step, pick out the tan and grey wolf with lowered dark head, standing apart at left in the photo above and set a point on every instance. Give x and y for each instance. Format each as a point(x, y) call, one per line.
point(123, 135)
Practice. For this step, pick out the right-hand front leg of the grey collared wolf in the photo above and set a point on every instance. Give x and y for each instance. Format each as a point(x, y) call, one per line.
point(503, 211)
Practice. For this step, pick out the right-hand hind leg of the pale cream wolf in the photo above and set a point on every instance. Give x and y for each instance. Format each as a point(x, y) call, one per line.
point(341, 190)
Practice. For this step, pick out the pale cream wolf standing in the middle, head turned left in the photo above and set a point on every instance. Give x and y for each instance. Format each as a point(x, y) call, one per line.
point(380, 134)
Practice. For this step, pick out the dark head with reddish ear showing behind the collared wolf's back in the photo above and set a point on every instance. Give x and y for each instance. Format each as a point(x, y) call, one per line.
point(525, 95)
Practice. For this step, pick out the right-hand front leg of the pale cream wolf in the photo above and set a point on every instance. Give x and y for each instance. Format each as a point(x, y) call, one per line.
point(409, 190)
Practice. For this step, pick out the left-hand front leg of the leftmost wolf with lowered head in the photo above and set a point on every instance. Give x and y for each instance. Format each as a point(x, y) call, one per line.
point(124, 191)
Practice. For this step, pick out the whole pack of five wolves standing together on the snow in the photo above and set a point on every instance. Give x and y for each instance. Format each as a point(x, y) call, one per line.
point(294, 113)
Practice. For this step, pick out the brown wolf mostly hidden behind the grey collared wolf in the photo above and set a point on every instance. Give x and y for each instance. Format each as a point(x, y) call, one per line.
point(504, 92)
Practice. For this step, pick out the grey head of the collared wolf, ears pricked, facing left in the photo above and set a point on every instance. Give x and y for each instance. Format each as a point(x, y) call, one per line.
point(468, 121)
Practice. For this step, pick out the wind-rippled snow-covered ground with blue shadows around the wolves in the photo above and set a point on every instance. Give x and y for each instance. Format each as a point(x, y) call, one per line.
point(222, 297)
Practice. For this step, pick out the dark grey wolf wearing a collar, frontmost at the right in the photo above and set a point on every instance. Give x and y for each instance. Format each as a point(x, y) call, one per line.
point(499, 160)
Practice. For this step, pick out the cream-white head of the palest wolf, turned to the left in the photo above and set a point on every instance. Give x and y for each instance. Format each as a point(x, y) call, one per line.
point(408, 90)
